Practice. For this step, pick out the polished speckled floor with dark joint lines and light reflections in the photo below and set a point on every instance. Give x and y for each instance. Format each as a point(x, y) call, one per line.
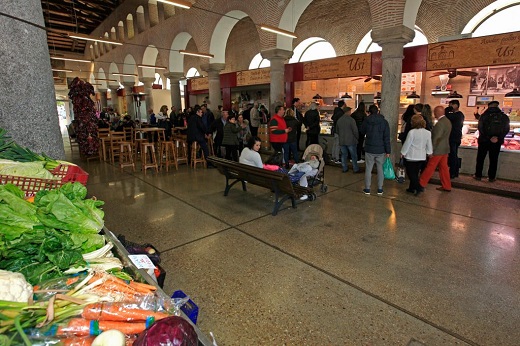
point(346, 269)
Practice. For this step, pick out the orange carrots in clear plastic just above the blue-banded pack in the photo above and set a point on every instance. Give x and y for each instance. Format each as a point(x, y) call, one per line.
point(119, 312)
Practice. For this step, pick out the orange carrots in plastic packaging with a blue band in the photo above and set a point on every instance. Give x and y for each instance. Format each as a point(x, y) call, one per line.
point(83, 327)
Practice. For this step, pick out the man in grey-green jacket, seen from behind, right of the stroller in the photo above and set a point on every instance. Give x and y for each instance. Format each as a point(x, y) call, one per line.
point(348, 134)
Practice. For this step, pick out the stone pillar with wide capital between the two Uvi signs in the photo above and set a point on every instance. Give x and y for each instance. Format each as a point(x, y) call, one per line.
point(392, 40)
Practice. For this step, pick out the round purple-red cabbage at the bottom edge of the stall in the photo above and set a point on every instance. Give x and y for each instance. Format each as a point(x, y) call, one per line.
point(170, 331)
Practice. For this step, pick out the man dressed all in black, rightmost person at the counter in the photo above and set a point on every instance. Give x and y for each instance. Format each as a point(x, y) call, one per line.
point(493, 126)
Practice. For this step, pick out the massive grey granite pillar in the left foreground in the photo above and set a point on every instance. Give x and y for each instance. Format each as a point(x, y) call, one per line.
point(26, 83)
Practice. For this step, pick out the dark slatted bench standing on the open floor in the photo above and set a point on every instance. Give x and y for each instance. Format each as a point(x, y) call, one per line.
point(278, 182)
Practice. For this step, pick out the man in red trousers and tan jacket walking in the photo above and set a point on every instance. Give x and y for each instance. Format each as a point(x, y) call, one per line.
point(440, 139)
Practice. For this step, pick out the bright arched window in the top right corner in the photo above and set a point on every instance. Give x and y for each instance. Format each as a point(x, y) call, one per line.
point(497, 18)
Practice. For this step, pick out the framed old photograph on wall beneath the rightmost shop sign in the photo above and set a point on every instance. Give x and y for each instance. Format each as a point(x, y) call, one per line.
point(495, 80)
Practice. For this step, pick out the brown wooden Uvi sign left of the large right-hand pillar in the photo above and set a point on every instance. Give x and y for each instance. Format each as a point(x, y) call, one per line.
point(341, 66)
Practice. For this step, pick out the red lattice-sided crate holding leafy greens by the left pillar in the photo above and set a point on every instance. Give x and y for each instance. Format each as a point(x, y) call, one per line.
point(67, 174)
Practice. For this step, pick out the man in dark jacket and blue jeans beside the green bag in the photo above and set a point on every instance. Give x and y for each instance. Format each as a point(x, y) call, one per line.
point(377, 147)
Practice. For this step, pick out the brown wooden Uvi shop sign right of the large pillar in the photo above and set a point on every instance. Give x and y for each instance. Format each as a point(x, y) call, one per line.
point(479, 51)
